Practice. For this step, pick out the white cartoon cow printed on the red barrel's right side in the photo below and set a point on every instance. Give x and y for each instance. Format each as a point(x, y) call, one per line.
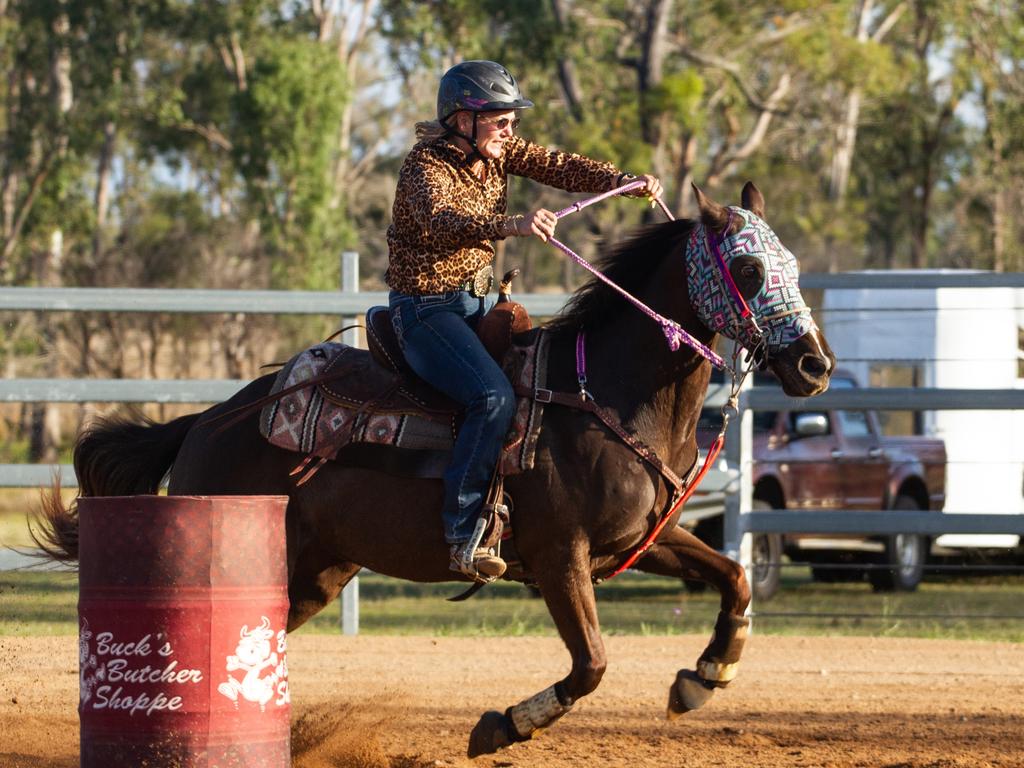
point(253, 657)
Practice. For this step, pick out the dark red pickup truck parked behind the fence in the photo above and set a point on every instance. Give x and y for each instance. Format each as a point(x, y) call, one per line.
point(836, 460)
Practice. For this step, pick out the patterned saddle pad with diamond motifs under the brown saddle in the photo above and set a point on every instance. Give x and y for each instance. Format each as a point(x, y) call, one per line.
point(362, 403)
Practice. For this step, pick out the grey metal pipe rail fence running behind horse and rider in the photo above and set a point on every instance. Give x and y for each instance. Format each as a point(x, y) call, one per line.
point(731, 490)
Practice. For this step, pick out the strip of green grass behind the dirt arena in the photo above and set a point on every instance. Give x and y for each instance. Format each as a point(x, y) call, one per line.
point(45, 604)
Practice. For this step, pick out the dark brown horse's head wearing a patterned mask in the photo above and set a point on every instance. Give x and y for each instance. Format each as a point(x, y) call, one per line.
point(744, 284)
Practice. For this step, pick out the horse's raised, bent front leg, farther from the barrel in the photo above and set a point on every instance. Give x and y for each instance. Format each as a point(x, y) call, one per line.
point(678, 553)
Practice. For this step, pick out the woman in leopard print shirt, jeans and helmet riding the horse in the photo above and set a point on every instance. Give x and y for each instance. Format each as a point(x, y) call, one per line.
point(449, 207)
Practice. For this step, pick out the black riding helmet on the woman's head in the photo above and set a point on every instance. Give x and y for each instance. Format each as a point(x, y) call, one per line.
point(478, 87)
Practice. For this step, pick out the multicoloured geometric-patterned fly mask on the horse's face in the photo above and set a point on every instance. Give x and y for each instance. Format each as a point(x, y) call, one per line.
point(777, 316)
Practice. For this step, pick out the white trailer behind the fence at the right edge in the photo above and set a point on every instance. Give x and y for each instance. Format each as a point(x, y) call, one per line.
point(949, 338)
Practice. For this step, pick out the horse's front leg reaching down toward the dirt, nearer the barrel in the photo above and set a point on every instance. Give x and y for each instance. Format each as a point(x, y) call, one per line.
point(570, 596)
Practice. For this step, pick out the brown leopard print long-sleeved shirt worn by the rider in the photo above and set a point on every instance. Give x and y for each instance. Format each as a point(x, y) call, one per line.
point(445, 219)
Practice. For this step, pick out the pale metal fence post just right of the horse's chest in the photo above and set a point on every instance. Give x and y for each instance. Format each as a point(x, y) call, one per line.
point(740, 495)
